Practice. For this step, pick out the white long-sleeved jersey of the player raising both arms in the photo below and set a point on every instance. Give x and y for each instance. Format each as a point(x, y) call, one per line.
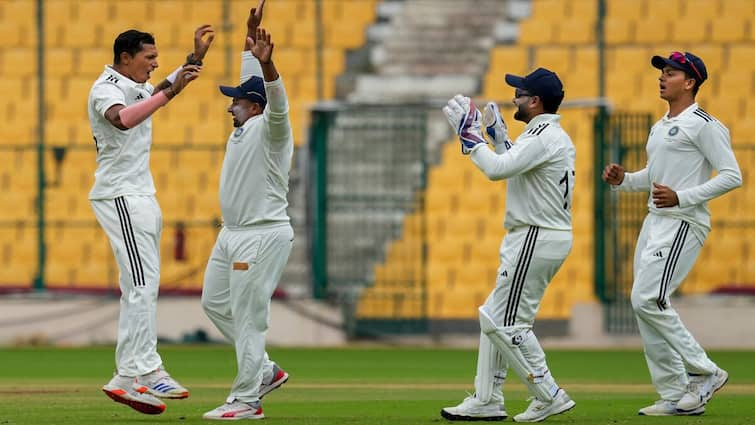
point(254, 177)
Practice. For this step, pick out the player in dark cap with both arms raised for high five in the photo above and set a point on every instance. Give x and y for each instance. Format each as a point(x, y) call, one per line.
point(256, 239)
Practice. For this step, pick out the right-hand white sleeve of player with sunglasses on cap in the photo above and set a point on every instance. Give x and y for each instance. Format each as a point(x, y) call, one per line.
point(715, 144)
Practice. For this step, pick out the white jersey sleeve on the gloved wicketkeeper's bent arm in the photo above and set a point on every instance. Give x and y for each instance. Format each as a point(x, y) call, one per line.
point(523, 156)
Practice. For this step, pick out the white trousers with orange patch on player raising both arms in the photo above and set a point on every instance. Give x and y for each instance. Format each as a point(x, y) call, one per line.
point(242, 273)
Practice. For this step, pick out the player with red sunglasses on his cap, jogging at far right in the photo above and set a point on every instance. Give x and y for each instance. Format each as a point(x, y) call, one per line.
point(683, 149)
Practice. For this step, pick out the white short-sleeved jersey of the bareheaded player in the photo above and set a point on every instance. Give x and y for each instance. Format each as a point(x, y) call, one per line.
point(122, 155)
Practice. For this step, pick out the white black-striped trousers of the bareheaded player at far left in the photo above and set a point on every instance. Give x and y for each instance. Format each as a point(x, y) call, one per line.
point(133, 223)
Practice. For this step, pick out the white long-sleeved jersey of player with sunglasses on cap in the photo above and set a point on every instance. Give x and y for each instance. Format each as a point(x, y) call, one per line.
point(682, 153)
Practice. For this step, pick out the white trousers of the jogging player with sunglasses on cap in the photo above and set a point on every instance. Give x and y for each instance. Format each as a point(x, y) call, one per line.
point(665, 253)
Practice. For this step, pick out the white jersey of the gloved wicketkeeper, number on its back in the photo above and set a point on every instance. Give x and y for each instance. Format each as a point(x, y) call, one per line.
point(539, 169)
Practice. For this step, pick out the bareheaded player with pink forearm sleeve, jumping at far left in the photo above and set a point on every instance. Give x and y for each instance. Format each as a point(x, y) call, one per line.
point(121, 104)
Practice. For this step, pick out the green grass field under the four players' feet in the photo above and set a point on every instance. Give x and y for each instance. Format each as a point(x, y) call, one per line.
point(363, 385)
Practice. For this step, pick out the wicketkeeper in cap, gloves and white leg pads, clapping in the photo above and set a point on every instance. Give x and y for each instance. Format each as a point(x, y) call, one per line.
point(539, 168)
